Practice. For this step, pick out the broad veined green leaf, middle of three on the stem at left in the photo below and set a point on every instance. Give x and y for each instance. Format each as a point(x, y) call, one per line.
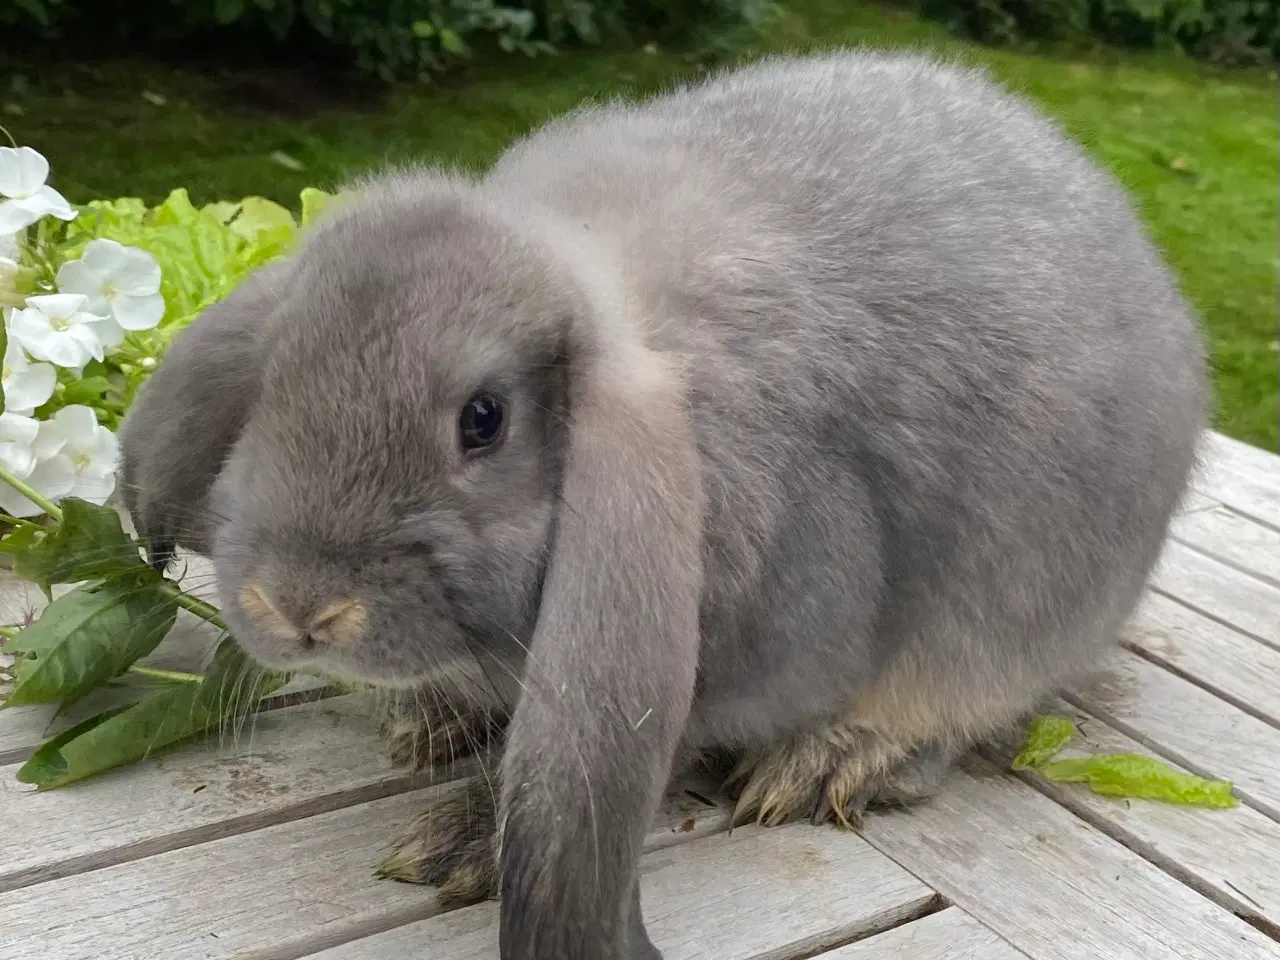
point(88, 637)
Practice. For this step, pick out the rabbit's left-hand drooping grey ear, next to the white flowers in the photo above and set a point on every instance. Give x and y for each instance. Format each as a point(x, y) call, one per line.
point(190, 413)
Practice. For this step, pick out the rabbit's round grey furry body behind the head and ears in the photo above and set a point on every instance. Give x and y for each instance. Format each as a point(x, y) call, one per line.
point(947, 396)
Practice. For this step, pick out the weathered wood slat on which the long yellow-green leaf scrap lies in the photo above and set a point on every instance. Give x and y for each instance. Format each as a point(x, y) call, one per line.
point(1229, 856)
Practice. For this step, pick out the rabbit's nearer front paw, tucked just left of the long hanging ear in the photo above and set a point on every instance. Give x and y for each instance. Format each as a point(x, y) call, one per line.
point(451, 847)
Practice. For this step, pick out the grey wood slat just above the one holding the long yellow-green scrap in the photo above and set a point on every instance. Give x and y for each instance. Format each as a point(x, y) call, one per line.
point(1188, 726)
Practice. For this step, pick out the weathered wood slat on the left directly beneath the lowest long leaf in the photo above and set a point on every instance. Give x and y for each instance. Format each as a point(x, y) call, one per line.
point(286, 764)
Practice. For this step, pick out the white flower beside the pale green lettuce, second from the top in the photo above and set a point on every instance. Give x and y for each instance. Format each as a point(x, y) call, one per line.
point(121, 282)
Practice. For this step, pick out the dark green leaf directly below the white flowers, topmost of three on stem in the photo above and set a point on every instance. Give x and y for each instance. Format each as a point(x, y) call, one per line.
point(89, 545)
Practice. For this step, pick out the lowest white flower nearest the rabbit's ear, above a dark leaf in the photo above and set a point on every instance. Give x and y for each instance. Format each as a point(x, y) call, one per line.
point(77, 456)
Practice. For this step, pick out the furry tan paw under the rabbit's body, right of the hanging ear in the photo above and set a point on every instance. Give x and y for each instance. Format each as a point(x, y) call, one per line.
point(835, 776)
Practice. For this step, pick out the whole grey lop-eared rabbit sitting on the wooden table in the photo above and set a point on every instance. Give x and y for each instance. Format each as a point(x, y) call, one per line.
point(828, 414)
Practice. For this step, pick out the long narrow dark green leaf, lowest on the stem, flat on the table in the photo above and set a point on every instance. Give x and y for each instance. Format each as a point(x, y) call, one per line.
point(231, 691)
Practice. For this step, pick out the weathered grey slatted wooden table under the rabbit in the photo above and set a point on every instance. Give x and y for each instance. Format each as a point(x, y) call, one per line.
point(260, 843)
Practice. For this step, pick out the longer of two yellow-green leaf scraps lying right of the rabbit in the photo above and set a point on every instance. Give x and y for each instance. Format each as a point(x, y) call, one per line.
point(1140, 778)
